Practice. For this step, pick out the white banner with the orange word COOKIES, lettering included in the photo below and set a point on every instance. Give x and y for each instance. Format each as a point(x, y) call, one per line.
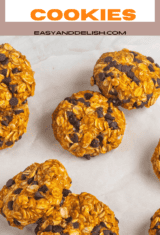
point(80, 11)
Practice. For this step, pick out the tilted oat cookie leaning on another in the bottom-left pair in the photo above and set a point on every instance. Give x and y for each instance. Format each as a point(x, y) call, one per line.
point(34, 192)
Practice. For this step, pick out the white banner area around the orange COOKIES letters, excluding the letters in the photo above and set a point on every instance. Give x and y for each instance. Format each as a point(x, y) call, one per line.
point(19, 11)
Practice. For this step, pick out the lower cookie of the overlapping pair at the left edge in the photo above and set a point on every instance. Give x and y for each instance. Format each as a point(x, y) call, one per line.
point(13, 124)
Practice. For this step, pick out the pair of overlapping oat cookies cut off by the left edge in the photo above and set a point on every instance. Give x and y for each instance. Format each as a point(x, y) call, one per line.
point(16, 85)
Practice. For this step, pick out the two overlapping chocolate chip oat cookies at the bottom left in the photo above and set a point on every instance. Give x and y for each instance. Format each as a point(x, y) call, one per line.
point(40, 194)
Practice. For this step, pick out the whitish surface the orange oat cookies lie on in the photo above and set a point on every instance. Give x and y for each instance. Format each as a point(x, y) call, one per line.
point(123, 178)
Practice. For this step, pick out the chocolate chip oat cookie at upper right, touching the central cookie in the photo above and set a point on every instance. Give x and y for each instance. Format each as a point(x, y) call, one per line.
point(129, 78)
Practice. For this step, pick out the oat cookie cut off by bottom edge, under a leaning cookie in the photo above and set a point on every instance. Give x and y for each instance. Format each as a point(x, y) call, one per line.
point(80, 214)
